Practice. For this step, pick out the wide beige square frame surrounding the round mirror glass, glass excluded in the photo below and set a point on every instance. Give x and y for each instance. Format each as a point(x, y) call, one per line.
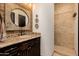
point(9, 24)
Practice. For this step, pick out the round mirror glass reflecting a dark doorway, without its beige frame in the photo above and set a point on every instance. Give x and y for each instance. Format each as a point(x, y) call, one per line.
point(19, 17)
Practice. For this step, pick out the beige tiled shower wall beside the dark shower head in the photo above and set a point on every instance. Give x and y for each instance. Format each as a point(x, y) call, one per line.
point(64, 25)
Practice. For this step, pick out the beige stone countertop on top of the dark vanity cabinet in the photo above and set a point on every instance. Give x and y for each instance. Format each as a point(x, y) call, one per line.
point(18, 39)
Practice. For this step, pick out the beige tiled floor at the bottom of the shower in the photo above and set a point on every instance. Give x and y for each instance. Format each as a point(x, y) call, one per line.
point(63, 51)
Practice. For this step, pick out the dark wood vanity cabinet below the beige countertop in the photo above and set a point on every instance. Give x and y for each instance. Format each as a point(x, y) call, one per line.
point(26, 48)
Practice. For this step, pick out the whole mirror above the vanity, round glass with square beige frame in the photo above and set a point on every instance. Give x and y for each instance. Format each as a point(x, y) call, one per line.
point(18, 17)
